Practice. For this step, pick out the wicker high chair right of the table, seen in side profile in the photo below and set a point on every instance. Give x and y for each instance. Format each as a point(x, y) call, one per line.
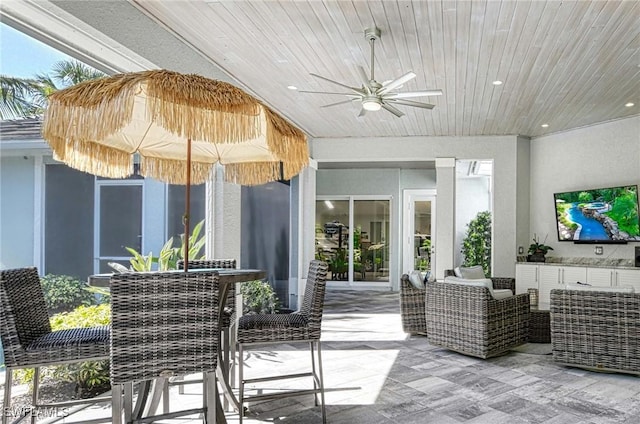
point(300, 326)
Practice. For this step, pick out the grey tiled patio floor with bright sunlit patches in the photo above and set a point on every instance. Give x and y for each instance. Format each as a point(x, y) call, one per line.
point(374, 373)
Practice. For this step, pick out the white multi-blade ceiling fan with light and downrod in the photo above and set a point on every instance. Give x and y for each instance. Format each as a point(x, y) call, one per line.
point(374, 95)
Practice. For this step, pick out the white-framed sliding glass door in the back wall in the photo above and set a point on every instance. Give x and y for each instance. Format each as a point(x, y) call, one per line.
point(352, 235)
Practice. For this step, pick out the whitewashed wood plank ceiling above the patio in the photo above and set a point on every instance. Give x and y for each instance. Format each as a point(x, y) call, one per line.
point(567, 64)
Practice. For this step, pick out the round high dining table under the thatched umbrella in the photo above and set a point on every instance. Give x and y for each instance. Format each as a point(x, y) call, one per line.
point(151, 392)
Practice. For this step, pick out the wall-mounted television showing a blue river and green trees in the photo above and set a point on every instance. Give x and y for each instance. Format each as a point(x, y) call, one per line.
point(599, 215)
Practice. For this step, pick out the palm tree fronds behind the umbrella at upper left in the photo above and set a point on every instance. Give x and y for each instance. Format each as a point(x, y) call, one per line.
point(27, 97)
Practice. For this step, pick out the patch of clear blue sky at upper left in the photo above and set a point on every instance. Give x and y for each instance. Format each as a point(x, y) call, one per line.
point(24, 57)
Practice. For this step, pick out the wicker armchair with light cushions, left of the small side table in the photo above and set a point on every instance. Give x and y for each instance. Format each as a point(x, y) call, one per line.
point(467, 319)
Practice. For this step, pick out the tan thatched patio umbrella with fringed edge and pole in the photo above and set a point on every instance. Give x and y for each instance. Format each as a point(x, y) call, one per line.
point(179, 125)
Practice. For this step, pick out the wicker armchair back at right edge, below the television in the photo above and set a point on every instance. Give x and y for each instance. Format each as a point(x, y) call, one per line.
point(596, 329)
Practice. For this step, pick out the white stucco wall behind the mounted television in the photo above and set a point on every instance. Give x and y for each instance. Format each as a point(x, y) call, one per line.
point(598, 156)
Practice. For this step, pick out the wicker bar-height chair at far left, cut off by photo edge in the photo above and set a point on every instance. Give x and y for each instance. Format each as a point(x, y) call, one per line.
point(29, 342)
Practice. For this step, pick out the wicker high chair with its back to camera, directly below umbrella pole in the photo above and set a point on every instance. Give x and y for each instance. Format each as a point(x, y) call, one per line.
point(164, 324)
